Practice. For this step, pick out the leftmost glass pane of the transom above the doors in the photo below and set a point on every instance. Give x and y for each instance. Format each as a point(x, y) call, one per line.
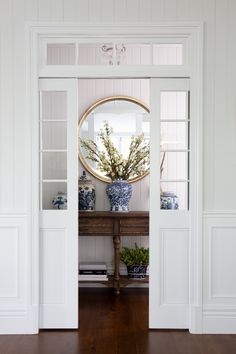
point(61, 54)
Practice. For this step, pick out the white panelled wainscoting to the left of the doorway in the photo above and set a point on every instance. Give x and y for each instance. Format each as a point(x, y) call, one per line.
point(16, 316)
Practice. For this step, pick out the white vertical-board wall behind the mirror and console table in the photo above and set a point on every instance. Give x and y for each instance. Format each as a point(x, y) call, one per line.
point(90, 91)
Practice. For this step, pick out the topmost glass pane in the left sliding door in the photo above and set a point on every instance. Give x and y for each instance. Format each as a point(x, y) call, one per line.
point(54, 105)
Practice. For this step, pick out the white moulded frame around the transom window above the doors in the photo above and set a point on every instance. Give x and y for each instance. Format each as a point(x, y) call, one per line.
point(190, 34)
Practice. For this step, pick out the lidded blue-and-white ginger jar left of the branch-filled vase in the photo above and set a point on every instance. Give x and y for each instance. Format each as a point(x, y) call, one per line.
point(87, 195)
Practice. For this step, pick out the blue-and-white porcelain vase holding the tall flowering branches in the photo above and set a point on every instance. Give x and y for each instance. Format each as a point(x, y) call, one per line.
point(119, 193)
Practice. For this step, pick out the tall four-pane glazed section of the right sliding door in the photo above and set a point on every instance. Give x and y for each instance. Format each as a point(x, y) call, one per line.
point(174, 146)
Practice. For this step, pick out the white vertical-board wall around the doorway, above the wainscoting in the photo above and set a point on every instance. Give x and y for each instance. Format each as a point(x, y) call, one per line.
point(219, 79)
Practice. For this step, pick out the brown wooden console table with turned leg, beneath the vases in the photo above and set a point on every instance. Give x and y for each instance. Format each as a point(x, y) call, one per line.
point(115, 224)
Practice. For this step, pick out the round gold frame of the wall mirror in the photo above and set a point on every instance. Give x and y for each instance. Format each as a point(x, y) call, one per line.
point(85, 115)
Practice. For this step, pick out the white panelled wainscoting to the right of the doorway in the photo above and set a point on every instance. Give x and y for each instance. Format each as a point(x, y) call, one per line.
point(219, 275)
